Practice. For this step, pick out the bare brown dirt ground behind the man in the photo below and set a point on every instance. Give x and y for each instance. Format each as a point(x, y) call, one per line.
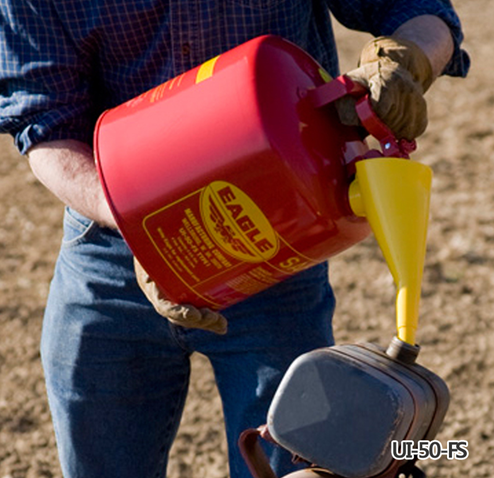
point(457, 313)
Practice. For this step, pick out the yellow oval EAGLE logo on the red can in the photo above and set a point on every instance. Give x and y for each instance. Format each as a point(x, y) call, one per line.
point(237, 224)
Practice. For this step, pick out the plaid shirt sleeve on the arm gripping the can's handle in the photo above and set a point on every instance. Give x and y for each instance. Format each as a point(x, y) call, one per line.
point(383, 17)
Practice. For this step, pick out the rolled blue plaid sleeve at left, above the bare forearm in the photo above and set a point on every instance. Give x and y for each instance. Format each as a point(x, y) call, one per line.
point(44, 79)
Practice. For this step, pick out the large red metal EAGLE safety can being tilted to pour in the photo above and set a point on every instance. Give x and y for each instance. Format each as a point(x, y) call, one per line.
point(230, 177)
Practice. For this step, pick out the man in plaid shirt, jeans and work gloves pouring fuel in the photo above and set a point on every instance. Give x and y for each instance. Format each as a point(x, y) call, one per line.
point(116, 371)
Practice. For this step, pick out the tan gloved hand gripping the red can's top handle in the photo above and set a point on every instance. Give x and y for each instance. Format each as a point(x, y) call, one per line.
point(397, 73)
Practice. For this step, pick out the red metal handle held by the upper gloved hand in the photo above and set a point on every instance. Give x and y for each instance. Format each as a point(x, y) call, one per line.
point(343, 86)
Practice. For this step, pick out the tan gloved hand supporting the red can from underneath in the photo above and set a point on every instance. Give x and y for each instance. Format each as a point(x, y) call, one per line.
point(179, 314)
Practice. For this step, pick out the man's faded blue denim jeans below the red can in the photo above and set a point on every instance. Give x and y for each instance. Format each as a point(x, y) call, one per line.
point(117, 373)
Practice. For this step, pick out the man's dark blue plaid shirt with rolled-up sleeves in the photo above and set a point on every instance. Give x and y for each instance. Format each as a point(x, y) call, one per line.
point(63, 62)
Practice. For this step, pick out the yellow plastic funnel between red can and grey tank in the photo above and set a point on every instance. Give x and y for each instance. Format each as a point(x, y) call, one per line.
point(394, 195)
